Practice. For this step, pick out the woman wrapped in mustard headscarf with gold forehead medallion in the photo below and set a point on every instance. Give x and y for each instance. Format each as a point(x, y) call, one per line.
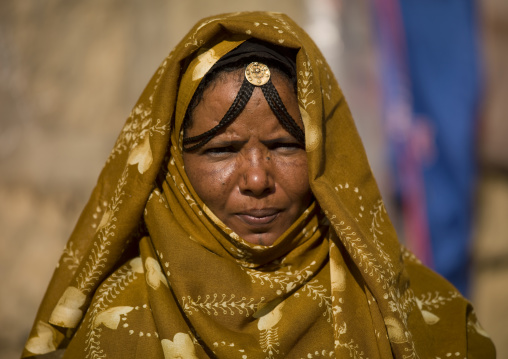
point(237, 217)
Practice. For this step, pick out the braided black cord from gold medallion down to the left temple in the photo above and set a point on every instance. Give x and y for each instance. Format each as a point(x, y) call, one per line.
point(242, 97)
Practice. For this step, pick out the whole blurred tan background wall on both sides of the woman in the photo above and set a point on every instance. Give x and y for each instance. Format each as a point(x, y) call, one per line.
point(71, 71)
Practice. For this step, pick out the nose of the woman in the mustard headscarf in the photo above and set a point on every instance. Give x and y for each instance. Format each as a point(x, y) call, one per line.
point(257, 177)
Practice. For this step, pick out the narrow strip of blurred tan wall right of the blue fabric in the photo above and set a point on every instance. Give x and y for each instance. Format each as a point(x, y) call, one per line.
point(490, 282)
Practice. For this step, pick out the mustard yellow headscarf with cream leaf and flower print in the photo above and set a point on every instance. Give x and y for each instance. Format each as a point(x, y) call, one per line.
point(150, 272)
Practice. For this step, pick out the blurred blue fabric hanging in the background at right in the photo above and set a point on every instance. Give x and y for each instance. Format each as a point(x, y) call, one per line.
point(444, 69)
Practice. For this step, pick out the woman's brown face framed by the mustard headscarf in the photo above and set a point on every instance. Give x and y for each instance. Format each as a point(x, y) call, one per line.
point(253, 174)
